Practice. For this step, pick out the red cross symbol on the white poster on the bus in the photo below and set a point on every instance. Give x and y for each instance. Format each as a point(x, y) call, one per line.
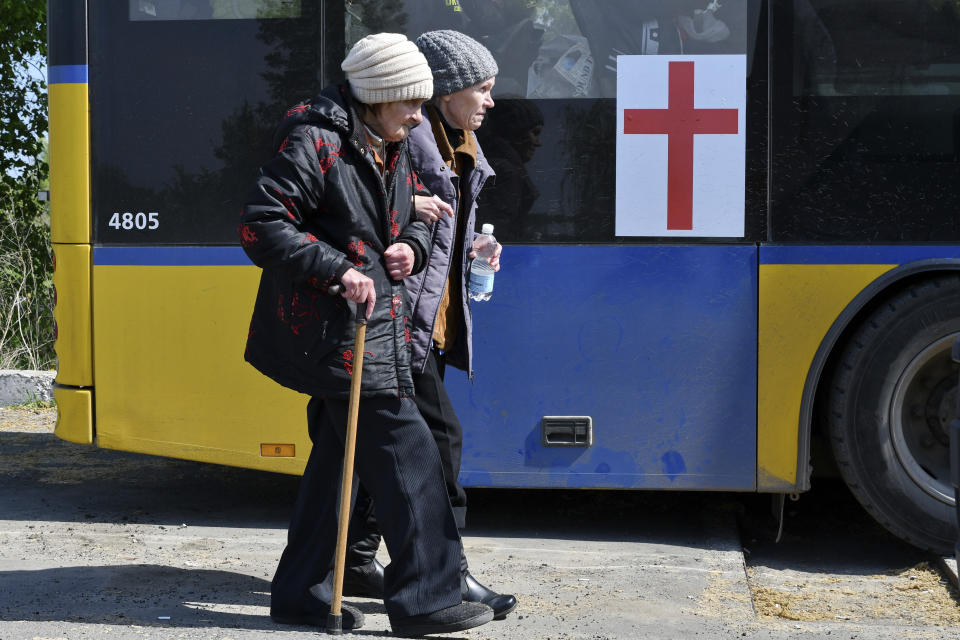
point(680, 121)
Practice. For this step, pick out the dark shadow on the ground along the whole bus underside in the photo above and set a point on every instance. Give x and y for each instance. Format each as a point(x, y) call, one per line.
point(46, 479)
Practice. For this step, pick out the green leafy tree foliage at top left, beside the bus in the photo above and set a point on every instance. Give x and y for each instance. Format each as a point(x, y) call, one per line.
point(23, 95)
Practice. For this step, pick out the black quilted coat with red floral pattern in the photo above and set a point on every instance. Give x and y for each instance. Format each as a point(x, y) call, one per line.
point(318, 208)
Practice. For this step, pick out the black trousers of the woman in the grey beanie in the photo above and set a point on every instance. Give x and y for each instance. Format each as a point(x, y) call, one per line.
point(437, 410)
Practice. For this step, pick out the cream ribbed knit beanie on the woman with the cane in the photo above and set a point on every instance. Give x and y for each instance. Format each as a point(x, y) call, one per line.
point(386, 67)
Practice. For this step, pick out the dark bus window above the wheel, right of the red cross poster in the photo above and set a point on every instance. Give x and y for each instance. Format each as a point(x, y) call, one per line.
point(865, 115)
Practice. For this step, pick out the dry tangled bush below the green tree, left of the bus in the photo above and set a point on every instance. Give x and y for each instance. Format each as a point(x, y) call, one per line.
point(26, 276)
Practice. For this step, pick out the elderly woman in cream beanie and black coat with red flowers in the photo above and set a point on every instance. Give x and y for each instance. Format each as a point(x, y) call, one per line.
point(334, 207)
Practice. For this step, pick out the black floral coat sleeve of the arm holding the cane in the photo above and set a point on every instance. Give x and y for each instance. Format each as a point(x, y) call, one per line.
point(288, 189)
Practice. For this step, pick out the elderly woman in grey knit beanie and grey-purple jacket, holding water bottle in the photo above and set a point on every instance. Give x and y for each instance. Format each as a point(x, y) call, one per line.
point(451, 165)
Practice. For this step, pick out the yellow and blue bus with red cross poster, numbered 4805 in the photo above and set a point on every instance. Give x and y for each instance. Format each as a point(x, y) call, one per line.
point(731, 230)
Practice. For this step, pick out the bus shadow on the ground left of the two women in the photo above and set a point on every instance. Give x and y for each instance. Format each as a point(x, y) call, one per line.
point(46, 479)
